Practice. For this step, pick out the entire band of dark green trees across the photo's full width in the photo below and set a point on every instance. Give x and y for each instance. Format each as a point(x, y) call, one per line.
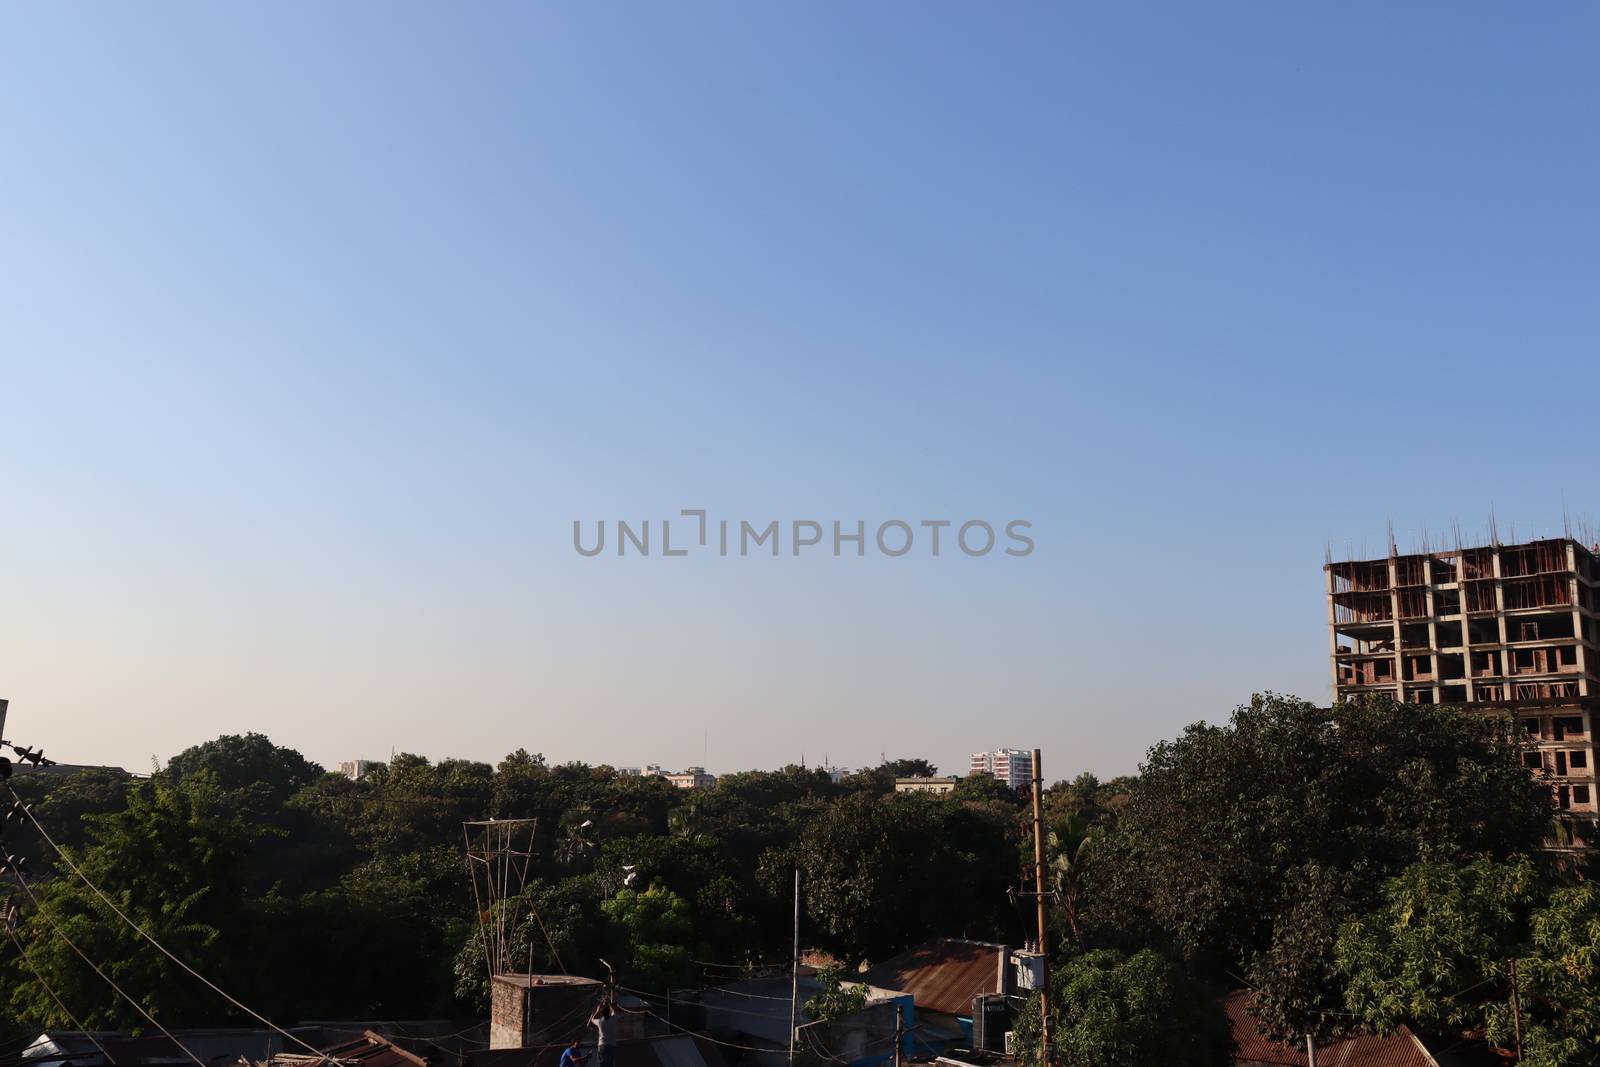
point(1354, 865)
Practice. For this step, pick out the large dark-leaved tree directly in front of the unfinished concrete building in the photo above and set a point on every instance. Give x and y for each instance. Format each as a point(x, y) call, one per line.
point(1228, 823)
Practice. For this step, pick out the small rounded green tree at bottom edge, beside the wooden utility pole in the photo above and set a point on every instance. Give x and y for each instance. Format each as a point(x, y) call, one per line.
point(1113, 1010)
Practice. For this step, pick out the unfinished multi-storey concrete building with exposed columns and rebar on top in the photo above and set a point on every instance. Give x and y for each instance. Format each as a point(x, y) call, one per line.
point(1513, 628)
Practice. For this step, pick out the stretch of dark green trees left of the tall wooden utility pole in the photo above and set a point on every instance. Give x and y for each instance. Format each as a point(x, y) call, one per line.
point(249, 861)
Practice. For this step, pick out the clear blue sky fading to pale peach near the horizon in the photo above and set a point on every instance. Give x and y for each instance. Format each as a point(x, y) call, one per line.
point(321, 326)
